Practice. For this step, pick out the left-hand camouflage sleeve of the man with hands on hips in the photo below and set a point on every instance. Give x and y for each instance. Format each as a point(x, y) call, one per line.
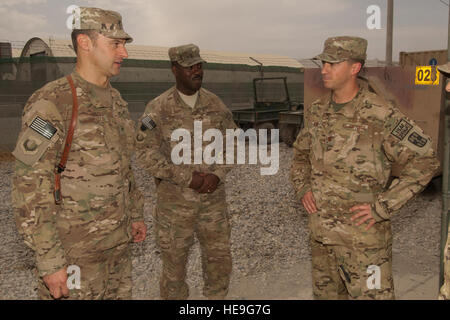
point(301, 165)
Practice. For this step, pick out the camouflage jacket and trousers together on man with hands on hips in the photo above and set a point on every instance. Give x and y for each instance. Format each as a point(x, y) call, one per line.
point(344, 156)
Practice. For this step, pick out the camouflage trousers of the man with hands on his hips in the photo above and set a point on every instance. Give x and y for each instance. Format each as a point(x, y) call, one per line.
point(349, 262)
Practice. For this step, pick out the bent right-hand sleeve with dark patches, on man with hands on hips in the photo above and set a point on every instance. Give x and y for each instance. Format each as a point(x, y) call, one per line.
point(405, 144)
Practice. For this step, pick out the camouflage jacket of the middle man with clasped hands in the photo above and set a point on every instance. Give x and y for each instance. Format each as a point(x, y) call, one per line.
point(168, 112)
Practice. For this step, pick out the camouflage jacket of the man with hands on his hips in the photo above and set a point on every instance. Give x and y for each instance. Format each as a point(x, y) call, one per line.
point(345, 156)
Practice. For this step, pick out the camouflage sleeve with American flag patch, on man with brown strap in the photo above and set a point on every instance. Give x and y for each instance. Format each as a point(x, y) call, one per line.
point(32, 195)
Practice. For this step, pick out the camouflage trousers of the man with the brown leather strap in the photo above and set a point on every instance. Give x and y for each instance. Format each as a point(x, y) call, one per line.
point(106, 276)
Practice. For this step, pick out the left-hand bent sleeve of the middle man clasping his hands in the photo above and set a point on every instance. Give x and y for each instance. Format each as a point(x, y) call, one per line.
point(151, 154)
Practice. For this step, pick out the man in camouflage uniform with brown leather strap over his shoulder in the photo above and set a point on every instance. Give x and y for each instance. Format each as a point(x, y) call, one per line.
point(101, 209)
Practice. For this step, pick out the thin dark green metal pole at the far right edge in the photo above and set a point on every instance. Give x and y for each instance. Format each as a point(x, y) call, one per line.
point(445, 169)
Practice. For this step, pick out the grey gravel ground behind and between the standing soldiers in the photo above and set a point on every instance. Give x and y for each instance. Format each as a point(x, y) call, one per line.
point(269, 236)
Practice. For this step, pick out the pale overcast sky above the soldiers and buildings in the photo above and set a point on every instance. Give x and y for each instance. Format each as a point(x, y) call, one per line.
point(295, 28)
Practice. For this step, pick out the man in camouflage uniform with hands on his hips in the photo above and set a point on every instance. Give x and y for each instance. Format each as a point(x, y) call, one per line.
point(340, 170)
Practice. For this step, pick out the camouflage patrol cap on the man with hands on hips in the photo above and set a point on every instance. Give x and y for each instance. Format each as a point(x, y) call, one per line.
point(337, 49)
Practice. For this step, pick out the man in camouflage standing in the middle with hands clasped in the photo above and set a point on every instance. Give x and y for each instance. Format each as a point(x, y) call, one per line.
point(191, 197)
